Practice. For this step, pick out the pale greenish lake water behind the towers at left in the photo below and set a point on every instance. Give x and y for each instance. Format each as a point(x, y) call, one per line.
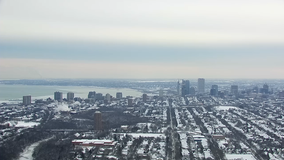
point(16, 92)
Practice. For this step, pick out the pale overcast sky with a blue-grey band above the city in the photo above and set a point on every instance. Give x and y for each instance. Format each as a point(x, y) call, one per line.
point(142, 39)
